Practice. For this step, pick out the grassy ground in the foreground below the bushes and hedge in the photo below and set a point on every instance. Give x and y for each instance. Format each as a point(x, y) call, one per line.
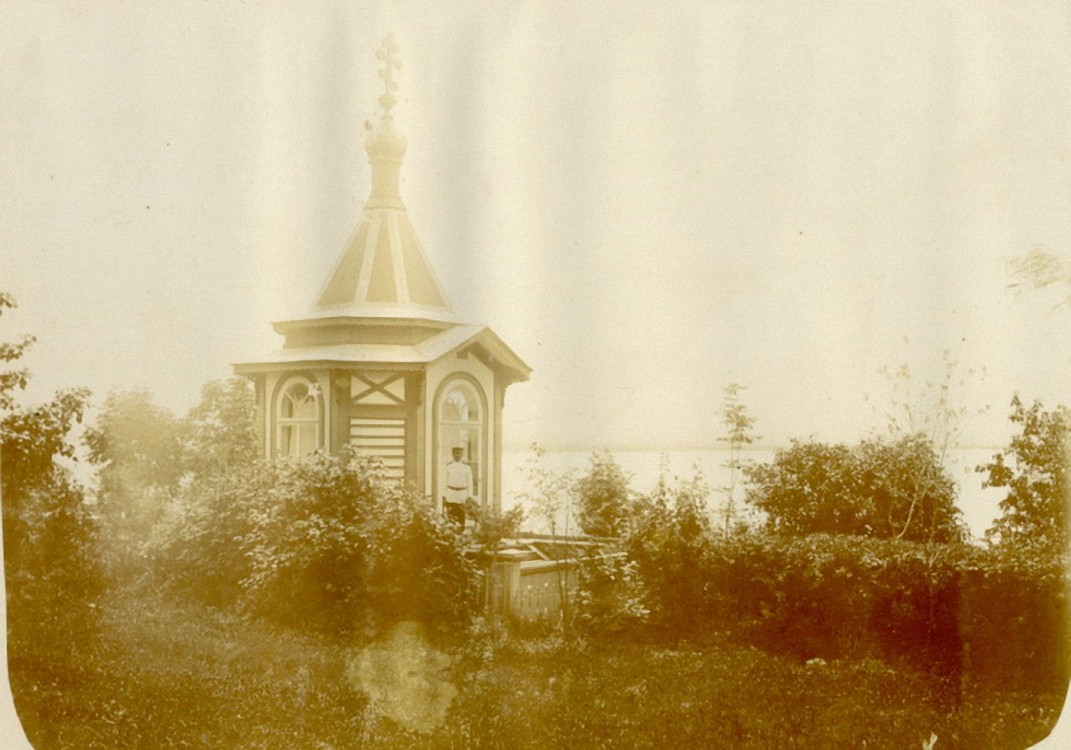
point(167, 674)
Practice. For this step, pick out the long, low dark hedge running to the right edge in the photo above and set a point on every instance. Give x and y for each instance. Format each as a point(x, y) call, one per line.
point(993, 616)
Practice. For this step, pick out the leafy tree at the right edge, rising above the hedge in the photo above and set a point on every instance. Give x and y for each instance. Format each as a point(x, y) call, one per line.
point(1034, 469)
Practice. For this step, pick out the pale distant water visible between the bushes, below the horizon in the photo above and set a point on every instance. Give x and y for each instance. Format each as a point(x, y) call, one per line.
point(981, 506)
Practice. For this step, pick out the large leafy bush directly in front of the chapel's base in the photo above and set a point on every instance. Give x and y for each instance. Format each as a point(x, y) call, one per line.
point(323, 546)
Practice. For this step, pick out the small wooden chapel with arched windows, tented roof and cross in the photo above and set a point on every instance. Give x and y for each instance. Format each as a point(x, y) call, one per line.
point(381, 362)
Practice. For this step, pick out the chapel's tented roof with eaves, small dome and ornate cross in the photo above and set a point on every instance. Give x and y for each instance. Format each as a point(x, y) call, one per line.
point(384, 280)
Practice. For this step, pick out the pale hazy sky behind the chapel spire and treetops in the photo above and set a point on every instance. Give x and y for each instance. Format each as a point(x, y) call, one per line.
point(645, 201)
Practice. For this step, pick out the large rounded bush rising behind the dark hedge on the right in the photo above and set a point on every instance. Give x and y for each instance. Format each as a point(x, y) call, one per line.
point(881, 488)
